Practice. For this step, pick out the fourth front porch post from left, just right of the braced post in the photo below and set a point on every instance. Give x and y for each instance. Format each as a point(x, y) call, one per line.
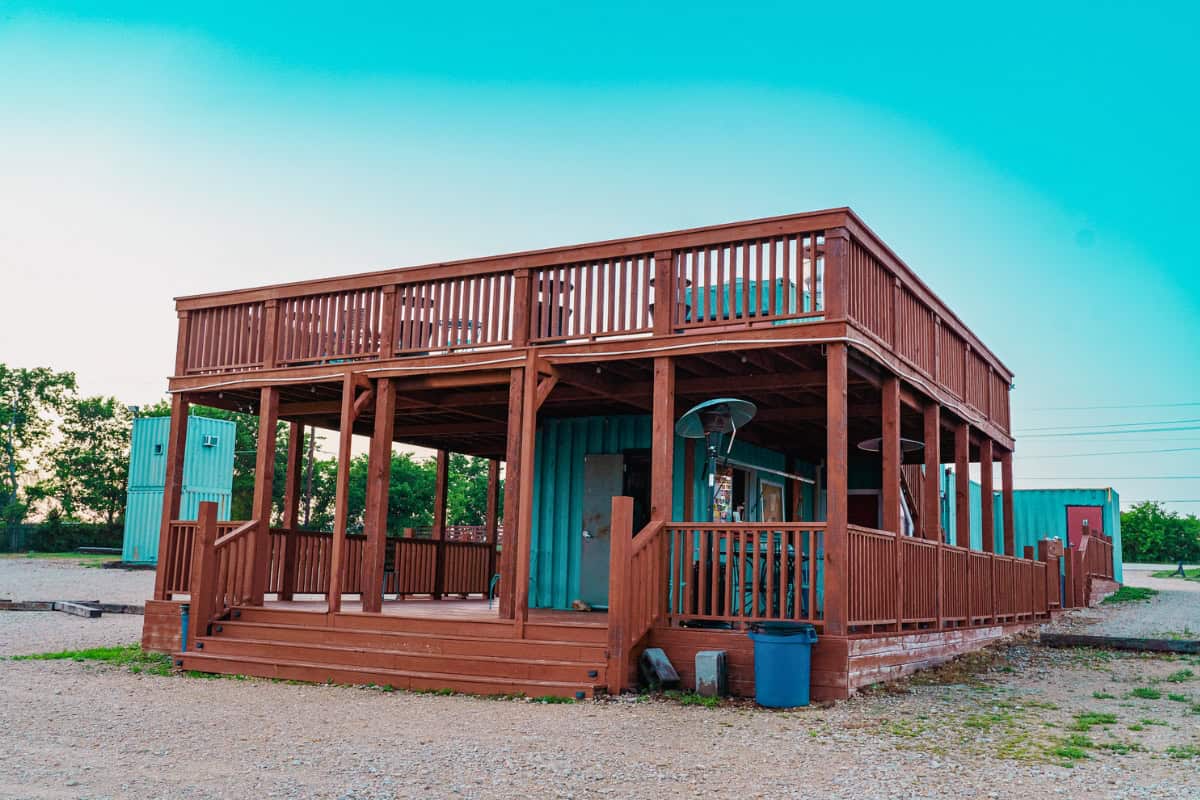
point(375, 518)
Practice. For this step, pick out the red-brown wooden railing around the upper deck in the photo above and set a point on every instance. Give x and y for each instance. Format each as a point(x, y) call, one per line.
point(800, 269)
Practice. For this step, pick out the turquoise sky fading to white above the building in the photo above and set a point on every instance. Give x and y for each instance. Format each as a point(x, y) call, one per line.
point(1034, 164)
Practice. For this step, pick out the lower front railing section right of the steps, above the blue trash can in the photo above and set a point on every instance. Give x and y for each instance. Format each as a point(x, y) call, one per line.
point(745, 573)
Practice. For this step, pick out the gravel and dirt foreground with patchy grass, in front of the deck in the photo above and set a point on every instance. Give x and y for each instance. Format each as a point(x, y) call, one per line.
point(1017, 723)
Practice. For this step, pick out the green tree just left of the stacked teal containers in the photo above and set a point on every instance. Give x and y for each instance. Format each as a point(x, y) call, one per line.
point(88, 466)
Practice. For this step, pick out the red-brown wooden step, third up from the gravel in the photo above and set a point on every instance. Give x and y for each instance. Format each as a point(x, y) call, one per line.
point(417, 642)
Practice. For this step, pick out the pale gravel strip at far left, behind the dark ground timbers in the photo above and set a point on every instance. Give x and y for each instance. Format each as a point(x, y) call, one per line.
point(23, 579)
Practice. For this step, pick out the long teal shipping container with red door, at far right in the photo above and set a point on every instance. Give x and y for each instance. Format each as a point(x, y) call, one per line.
point(1037, 515)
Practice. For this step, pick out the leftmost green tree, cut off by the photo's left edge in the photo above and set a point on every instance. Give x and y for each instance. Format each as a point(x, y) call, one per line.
point(29, 402)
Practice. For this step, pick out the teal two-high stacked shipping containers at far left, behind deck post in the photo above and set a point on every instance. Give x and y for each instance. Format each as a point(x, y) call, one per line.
point(208, 476)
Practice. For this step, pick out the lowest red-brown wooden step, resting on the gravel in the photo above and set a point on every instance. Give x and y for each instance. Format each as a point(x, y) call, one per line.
point(404, 679)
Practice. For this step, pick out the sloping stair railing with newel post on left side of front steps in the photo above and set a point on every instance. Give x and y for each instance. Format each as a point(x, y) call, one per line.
point(221, 573)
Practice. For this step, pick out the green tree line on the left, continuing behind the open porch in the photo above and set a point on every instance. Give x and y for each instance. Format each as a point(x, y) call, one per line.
point(65, 458)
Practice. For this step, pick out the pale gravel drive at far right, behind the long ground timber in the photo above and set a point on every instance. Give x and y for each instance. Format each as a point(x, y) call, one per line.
point(1173, 613)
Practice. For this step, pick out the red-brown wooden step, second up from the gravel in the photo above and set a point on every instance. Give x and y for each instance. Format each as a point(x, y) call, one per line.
point(525, 669)
